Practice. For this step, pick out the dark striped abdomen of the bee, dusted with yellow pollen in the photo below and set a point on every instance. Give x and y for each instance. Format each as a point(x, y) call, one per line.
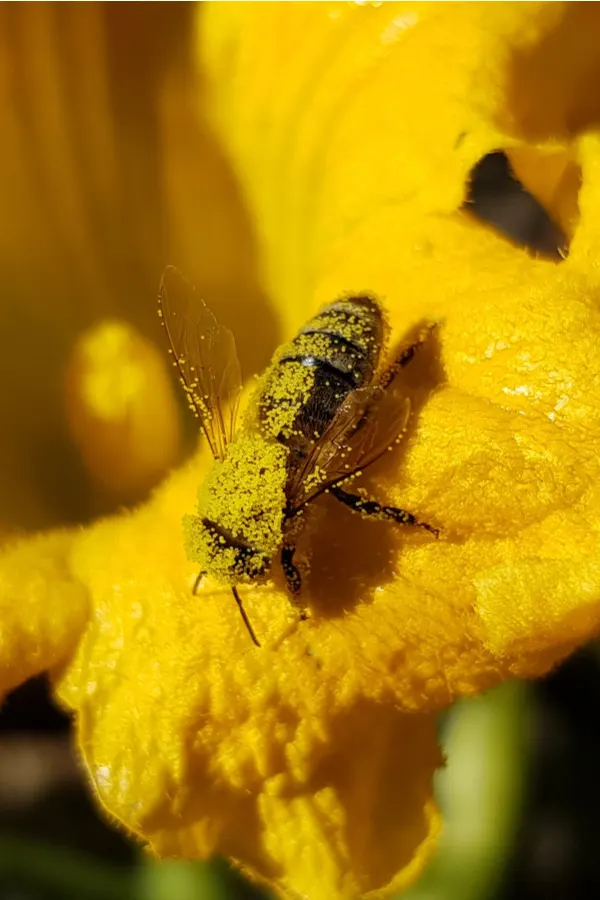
point(335, 353)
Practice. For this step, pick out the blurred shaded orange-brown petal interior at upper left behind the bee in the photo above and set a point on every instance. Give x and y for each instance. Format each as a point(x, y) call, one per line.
point(100, 172)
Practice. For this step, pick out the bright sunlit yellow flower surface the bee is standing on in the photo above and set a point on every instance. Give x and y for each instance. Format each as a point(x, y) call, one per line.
point(353, 130)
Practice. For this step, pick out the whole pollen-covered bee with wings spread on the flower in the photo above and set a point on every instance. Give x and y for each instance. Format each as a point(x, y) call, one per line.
point(323, 411)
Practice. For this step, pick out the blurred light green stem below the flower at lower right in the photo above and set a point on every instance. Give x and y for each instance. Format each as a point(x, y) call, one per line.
point(481, 793)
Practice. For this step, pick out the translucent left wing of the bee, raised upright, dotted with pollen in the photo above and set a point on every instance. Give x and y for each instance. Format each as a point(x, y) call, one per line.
point(205, 355)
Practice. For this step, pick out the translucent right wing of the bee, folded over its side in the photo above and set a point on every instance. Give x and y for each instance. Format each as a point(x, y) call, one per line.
point(368, 422)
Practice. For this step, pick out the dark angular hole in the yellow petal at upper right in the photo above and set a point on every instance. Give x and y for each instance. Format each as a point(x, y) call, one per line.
point(497, 197)
